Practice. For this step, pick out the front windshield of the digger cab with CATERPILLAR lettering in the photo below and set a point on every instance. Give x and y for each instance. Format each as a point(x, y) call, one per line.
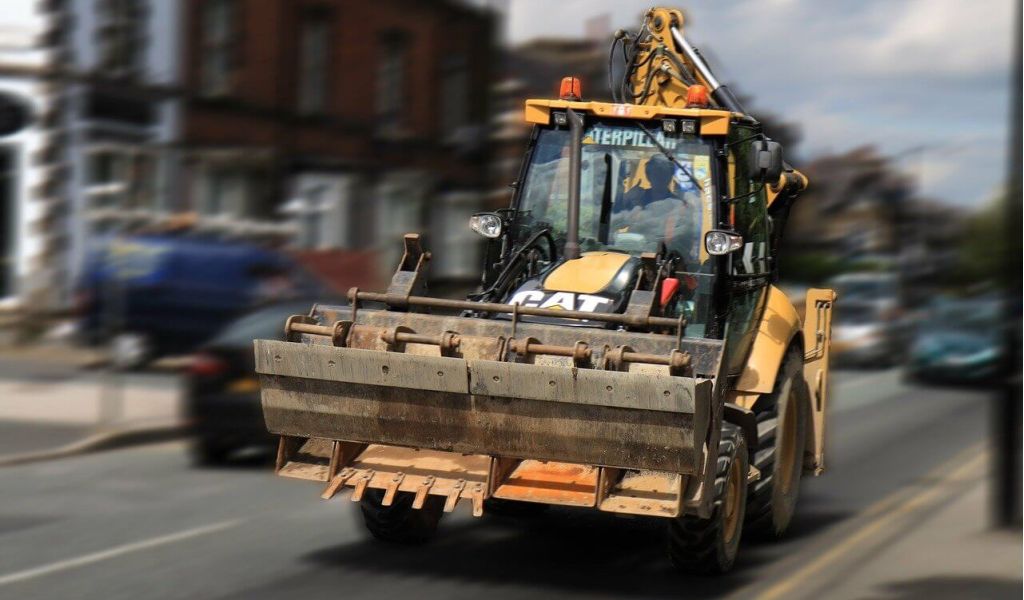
point(632, 197)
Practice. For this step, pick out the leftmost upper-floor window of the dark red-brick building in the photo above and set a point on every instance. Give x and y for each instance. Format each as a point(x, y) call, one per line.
point(220, 19)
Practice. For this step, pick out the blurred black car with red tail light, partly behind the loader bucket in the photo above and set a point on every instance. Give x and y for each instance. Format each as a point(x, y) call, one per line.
point(223, 393)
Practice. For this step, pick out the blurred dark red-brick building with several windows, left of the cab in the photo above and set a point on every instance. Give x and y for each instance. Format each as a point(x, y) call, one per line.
point(340, 125)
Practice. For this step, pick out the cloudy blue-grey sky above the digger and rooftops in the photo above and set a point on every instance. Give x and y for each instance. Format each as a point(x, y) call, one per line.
point(925, 81)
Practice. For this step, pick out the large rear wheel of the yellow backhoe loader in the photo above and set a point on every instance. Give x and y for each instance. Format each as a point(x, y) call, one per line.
point(782, 439)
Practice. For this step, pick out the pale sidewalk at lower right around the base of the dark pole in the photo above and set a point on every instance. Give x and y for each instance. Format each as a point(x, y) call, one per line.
point(932, 542)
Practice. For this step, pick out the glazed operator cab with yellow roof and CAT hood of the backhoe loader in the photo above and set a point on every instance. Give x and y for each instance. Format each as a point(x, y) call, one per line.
point(653, 182)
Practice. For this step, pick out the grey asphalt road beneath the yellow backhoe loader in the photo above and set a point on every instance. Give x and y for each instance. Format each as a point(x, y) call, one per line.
point(143, 523)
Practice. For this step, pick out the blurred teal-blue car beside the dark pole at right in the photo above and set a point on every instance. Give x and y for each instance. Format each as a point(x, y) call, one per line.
point(959, 342)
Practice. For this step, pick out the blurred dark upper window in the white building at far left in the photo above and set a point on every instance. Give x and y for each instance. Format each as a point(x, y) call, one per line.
point(121, 36)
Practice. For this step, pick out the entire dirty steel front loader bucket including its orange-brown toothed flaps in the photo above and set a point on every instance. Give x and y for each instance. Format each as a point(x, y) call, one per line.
point(475, 408)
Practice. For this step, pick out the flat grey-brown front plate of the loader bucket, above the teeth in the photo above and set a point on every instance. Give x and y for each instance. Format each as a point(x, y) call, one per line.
point(481, 407)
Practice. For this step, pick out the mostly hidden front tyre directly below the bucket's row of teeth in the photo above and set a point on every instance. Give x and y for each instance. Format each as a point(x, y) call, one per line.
point(401, 524)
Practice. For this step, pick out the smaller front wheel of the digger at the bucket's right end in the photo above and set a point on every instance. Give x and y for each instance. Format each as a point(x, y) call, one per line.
point(709, 546)
